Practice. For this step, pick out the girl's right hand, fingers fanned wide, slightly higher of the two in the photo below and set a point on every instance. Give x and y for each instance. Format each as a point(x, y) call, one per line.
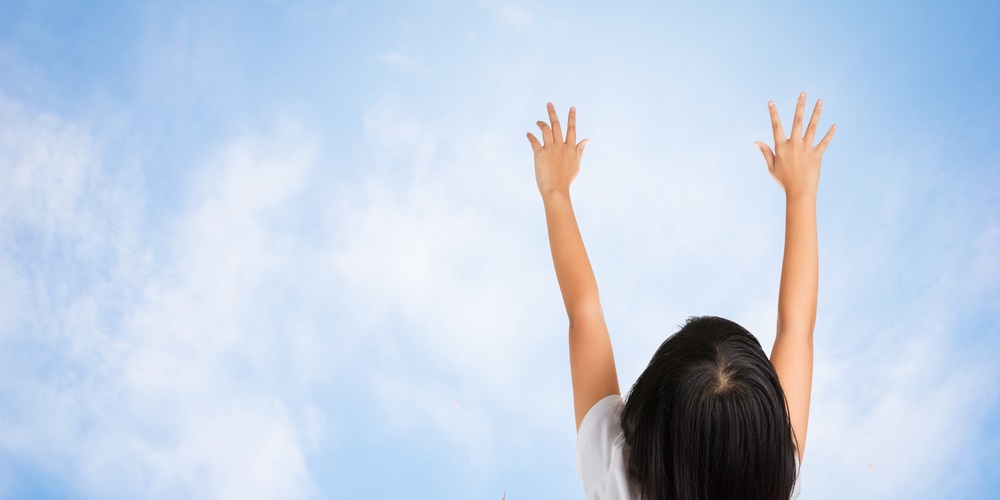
point(794, 164)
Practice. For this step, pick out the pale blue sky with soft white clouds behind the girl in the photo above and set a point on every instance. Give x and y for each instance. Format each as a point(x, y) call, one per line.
point(295, 249)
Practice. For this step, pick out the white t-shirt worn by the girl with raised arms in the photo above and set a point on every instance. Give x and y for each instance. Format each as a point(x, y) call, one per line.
point(601, 450)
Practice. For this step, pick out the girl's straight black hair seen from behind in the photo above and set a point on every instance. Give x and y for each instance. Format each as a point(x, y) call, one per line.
point(708, 419)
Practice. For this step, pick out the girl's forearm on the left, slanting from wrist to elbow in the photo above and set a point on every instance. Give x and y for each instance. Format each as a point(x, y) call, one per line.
point(573, 271)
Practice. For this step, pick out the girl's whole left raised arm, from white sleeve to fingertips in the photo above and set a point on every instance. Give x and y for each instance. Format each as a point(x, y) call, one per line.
point(592, 363)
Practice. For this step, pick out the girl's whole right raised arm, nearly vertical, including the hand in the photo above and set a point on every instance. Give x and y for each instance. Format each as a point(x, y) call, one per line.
point(795, 165)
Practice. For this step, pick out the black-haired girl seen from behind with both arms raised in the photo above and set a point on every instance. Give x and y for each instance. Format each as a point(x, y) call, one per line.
point(710, 417)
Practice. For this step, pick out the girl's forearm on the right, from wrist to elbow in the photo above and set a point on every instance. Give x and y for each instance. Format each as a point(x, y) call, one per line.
point(800, 268)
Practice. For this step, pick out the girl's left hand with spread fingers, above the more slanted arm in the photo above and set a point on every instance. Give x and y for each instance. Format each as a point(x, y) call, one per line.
point(558, 161)
